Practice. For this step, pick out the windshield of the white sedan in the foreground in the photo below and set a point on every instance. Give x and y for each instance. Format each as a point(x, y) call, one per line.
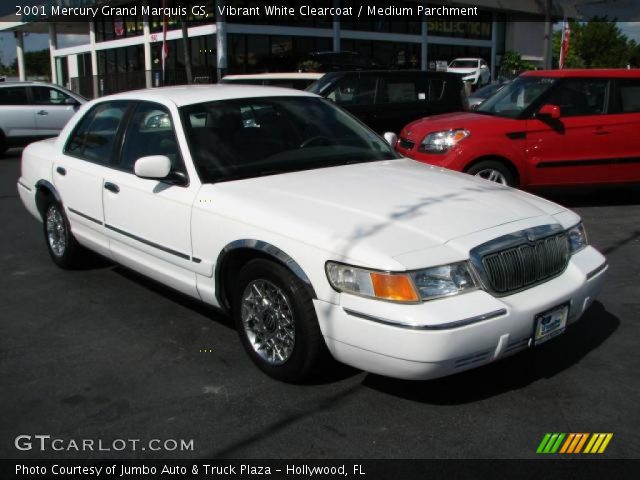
point(251, 137)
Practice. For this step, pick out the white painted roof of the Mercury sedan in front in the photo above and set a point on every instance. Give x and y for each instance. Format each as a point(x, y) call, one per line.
point(190, 94)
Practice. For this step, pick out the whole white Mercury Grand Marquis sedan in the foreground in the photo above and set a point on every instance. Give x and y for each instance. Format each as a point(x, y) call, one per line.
point(280, 208)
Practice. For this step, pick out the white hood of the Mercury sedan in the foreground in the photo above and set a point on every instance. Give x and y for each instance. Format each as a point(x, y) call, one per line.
point(375, 210)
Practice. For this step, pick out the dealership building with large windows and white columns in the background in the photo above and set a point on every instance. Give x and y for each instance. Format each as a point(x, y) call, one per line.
point(123, 46)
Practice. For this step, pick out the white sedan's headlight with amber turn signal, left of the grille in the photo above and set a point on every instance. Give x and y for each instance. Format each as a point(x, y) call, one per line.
point(410, 287)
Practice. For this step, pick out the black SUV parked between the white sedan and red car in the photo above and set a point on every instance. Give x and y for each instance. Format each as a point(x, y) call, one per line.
point(386, 100)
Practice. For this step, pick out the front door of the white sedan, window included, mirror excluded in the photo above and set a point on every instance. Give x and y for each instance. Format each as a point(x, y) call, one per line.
point(149, 221)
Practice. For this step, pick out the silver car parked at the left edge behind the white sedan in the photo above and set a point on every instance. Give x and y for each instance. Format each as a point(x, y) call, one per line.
point(32, 111)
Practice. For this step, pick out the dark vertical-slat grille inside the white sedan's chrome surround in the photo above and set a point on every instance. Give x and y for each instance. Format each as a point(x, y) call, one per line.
point(523, 266)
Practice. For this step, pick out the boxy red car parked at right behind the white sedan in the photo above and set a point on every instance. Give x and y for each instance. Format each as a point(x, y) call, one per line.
point(555, 127)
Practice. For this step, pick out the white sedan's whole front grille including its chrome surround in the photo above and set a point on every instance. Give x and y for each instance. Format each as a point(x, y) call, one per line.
point(521, 260)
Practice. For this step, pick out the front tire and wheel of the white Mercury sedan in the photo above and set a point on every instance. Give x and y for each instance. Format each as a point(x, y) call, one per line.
point(276, 321)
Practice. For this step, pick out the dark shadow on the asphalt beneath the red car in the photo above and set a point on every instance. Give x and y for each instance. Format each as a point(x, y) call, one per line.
point(575, 197)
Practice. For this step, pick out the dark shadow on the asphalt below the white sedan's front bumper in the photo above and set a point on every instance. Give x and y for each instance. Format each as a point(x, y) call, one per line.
point(511, 373)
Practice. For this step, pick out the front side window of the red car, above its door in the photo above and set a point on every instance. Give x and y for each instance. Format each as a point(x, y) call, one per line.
point(579, 96)
